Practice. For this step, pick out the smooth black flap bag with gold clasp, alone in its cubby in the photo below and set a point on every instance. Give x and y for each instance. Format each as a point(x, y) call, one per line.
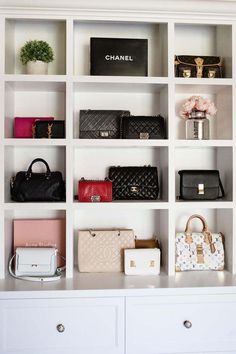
point(200, 185)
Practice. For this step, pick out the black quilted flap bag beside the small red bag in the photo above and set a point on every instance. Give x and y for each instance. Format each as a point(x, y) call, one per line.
point(134, 182)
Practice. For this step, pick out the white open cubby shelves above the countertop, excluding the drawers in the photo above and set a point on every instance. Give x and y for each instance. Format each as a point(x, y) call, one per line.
point(69, 88)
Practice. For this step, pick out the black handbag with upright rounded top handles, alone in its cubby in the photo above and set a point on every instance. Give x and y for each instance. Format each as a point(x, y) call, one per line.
point(28, 186)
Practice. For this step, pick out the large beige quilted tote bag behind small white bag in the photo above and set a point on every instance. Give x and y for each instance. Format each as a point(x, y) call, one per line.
point(103, 250)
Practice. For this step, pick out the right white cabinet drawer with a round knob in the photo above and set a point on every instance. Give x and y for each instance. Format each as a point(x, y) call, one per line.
point(181, 325)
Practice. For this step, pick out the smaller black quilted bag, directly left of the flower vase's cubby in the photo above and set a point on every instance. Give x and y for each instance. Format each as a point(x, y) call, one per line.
point(143, 127)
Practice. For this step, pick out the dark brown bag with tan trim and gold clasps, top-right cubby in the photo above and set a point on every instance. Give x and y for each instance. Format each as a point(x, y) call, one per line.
point(198, 66)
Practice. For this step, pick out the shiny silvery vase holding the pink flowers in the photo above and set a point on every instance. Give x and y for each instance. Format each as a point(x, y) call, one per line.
point(197, 126)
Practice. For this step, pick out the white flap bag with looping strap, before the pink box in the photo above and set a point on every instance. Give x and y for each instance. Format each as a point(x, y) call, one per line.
point(36, 264)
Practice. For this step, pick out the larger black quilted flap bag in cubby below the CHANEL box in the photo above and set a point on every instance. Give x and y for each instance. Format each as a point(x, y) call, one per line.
point(100, 124)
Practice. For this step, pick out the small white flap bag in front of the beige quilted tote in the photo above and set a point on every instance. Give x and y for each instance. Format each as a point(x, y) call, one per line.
point(142, 261)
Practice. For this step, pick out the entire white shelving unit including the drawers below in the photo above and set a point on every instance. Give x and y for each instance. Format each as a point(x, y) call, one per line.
point(170, 30)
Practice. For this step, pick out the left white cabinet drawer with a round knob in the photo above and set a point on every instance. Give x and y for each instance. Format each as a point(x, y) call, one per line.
point(87, 326)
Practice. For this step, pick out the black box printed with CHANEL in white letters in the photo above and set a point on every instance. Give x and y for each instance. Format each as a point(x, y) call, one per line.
point(118, 56)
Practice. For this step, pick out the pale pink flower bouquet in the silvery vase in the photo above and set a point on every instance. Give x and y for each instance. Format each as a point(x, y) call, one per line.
point(197, 103)
